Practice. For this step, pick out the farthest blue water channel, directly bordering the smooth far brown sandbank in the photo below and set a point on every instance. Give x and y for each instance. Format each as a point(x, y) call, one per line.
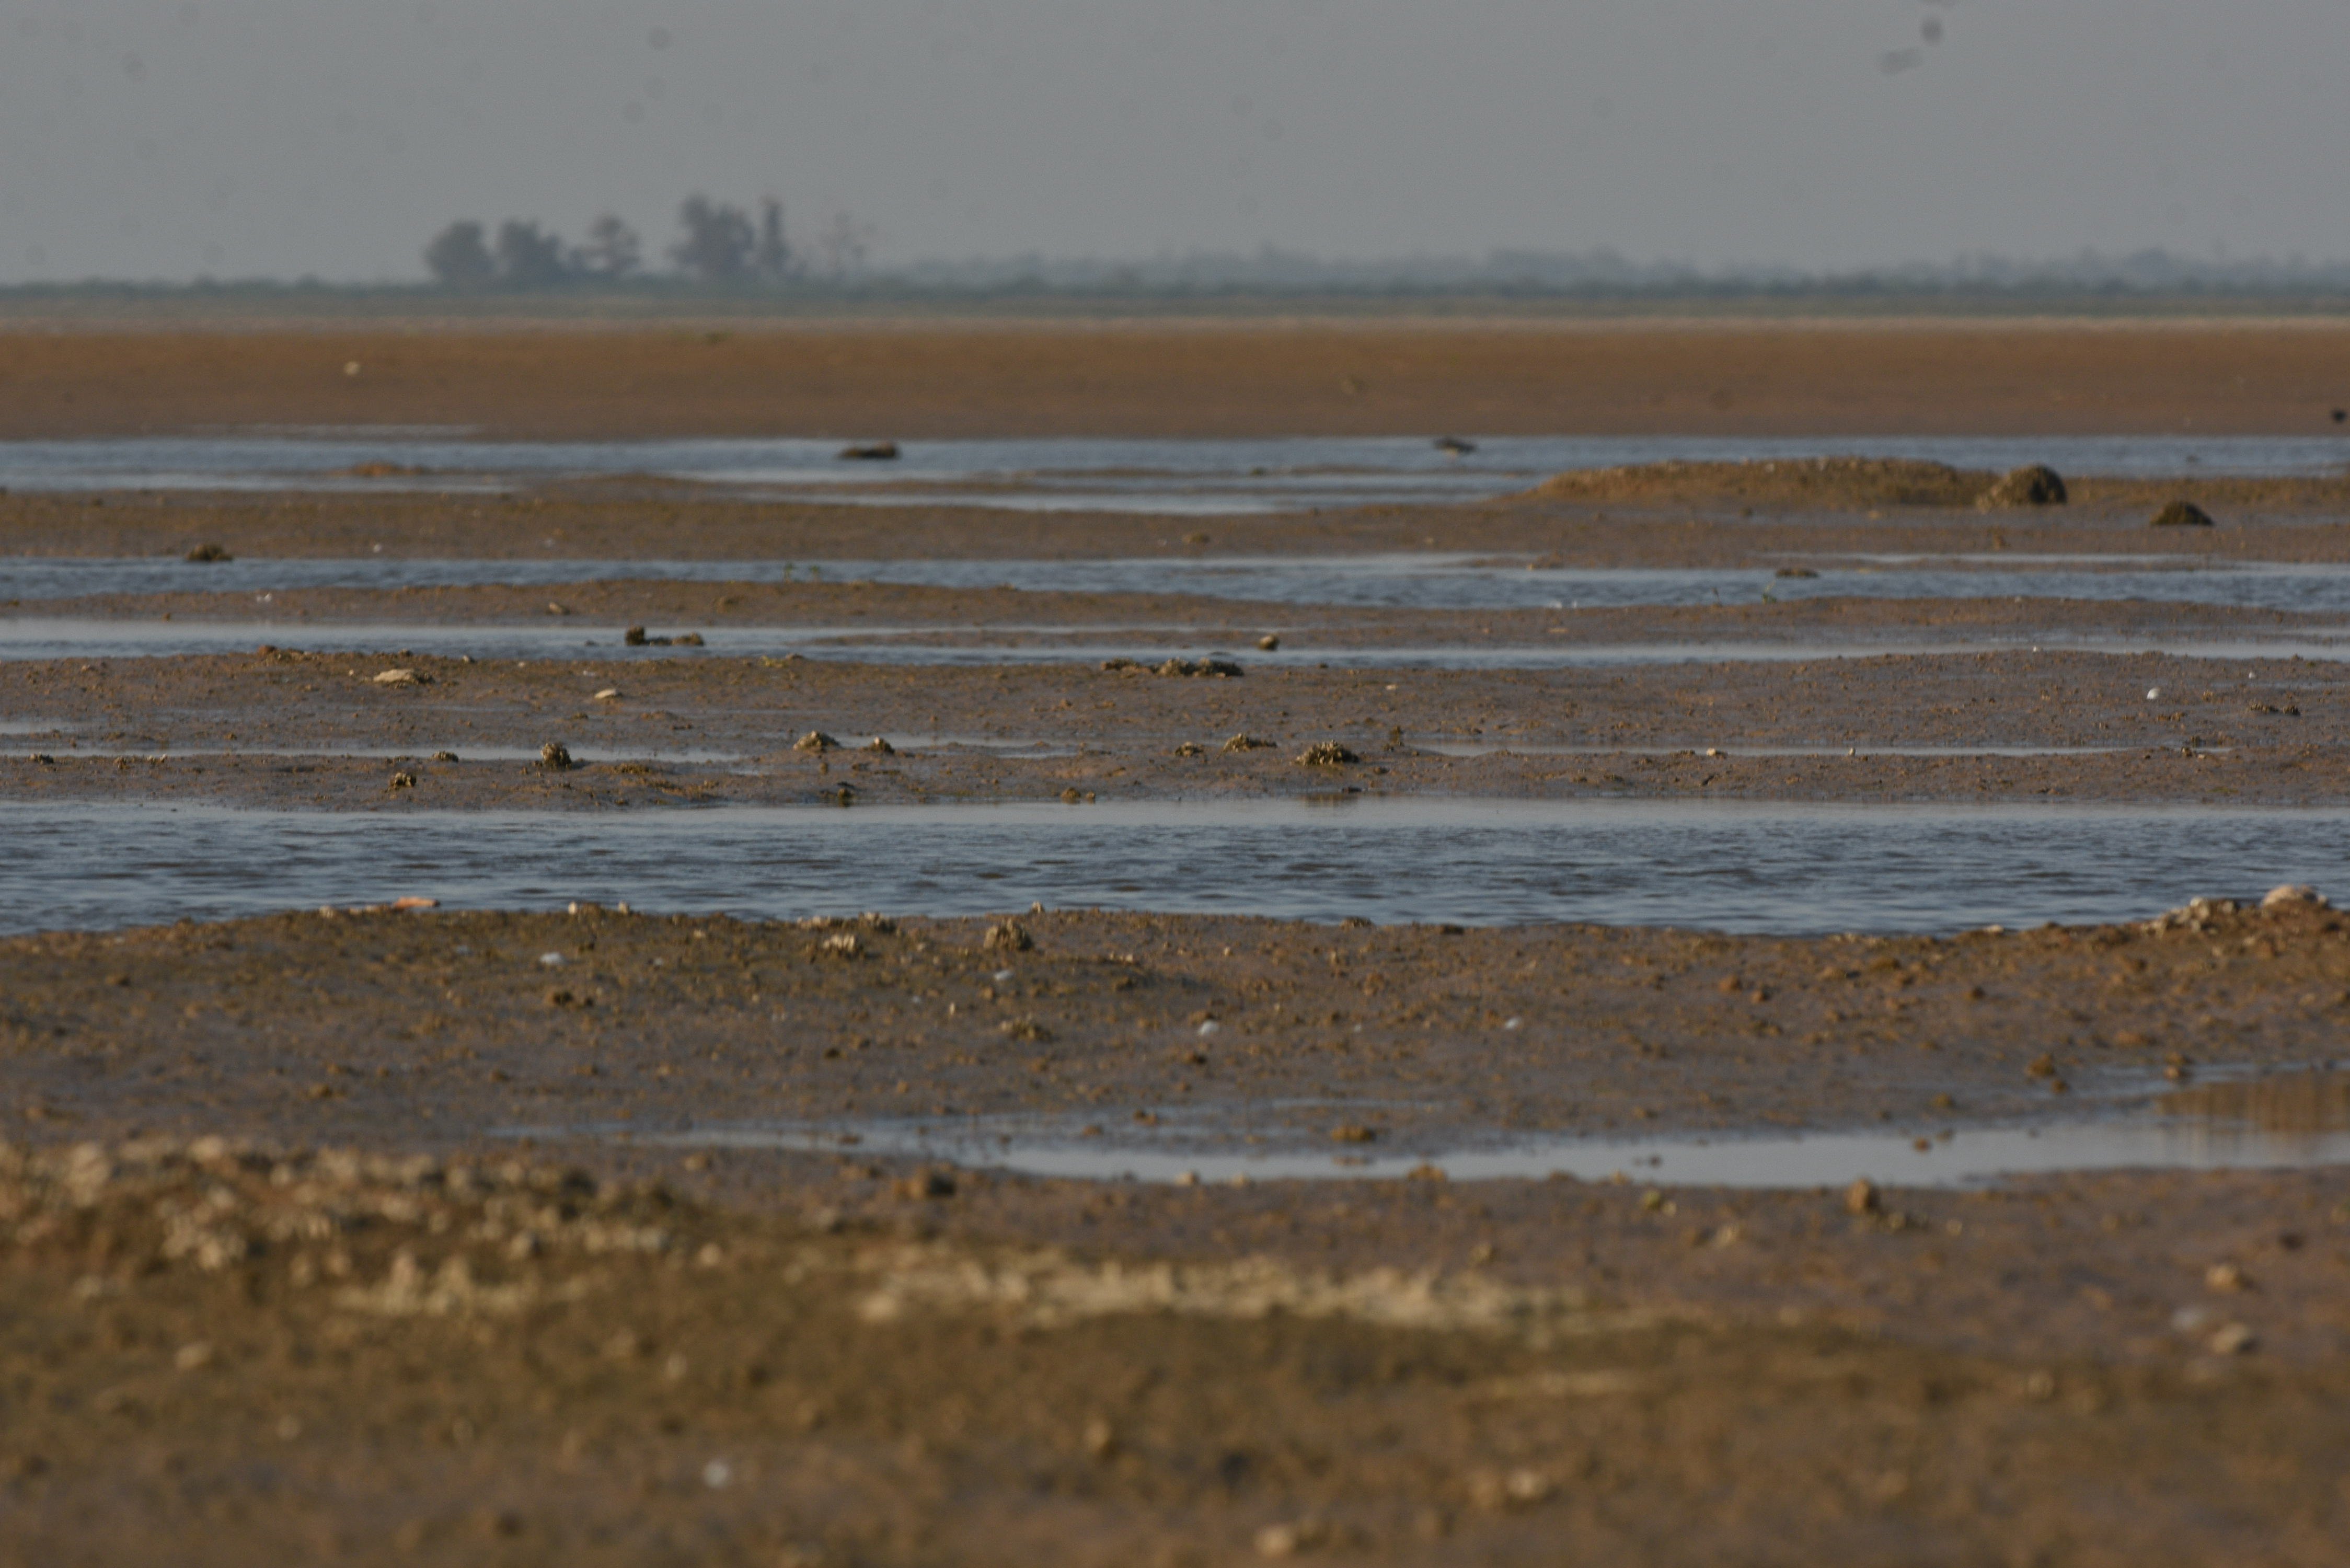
point(1176, 476)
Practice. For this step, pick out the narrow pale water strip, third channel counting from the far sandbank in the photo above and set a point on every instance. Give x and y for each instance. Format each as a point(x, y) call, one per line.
point(932, 645)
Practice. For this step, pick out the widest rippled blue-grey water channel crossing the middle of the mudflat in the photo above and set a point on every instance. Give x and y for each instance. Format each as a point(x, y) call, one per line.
point(1733, 866)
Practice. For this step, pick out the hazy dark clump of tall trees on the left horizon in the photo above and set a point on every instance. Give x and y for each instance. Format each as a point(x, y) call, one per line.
point(718, 243)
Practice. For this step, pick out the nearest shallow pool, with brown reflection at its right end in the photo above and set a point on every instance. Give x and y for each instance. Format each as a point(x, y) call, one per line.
point(2267, 1125)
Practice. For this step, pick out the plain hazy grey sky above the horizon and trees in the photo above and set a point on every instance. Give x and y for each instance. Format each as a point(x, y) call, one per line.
point(333, 138)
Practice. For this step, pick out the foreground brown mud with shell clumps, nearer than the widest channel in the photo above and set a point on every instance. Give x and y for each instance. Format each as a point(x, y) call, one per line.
point(441, 1339)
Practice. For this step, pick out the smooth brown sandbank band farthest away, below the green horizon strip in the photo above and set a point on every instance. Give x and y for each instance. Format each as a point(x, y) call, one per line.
point(1197, 380)
